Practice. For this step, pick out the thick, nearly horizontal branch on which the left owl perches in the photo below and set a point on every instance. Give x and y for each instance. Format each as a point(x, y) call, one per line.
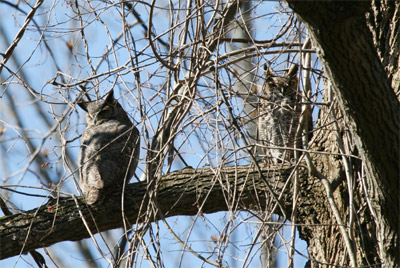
point(185, 192)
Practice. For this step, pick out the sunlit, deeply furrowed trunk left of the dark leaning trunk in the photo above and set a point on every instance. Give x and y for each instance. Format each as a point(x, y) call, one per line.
point(326, 245)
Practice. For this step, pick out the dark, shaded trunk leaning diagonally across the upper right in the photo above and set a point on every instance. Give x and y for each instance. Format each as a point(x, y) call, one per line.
point(370, 108)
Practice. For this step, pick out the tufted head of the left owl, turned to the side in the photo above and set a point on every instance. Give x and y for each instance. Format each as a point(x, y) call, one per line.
point(103, 111)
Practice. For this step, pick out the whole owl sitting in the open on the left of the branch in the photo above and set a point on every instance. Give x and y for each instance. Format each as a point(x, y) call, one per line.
point(109, 149)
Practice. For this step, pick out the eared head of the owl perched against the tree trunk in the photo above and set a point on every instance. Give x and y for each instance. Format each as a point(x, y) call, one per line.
point(283, 85)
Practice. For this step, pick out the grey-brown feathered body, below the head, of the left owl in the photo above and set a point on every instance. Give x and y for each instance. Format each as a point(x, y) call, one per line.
point(108, 156)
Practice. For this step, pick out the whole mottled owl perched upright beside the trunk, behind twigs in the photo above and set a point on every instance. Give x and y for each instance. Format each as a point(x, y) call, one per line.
point(278, 114)
